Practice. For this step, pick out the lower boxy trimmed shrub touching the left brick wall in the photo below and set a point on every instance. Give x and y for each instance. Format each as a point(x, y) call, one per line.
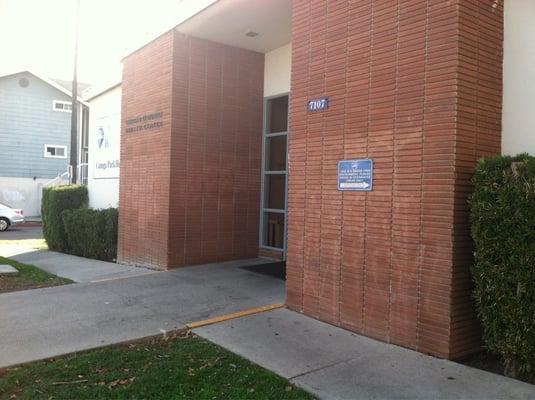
point(92, 233)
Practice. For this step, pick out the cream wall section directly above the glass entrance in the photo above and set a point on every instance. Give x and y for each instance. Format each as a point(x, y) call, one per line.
point(277, 70)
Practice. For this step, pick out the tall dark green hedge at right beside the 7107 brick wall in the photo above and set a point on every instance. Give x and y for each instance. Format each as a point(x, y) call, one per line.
point(503, 229)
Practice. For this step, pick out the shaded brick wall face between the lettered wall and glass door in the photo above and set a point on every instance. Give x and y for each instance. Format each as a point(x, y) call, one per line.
point(217, 150)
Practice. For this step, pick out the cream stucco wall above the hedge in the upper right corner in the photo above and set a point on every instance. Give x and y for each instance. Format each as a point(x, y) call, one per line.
point(518, 132)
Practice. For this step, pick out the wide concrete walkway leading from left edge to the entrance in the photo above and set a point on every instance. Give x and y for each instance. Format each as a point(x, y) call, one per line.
point(42, 323)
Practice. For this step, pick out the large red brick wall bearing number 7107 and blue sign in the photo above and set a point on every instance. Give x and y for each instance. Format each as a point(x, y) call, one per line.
point(416, 86)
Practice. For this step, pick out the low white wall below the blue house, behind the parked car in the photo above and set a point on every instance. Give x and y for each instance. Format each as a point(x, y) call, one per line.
point(24, 193)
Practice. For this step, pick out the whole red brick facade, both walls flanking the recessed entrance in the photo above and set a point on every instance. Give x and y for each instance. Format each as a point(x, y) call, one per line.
point(414, 85)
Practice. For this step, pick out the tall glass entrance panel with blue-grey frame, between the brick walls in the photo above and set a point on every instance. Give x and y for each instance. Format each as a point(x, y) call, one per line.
point(274, 174)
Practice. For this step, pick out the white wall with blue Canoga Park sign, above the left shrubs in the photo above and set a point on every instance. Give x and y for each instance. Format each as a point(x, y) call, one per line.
point(103, 171)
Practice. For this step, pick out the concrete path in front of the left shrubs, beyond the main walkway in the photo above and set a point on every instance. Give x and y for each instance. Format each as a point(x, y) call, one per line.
point(79, 269)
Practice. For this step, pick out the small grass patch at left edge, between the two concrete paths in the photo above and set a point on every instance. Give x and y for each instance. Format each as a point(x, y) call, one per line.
point(29, 277)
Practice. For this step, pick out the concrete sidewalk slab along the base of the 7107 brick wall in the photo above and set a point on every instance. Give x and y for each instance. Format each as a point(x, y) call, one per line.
point(334, 363)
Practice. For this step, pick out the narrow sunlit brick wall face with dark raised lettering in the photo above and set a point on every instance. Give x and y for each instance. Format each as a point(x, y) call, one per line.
point(145, 156)
